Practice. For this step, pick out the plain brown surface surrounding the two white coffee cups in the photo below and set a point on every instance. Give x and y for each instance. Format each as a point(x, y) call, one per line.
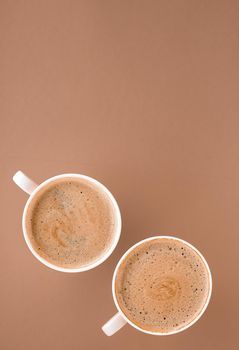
point(142, 95)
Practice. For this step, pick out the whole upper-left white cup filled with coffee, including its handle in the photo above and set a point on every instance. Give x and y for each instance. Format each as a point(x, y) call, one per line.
point(71, 222)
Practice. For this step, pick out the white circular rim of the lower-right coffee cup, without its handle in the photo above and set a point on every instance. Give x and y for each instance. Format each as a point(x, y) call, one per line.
point(152, 332)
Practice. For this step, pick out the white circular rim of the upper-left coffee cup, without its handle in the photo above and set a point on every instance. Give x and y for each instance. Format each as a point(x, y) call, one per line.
point(117, 231)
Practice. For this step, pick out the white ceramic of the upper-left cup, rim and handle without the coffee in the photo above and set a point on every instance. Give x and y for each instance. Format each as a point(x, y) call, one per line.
point(32, 189)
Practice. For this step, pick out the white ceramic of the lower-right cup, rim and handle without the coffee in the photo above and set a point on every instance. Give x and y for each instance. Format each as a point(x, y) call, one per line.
point(119, 319)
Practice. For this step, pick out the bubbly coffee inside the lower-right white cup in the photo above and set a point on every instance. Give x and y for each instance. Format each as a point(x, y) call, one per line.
point(162, 285)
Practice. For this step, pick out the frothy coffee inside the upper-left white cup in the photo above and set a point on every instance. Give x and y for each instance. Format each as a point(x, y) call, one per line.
point(70, 223)
